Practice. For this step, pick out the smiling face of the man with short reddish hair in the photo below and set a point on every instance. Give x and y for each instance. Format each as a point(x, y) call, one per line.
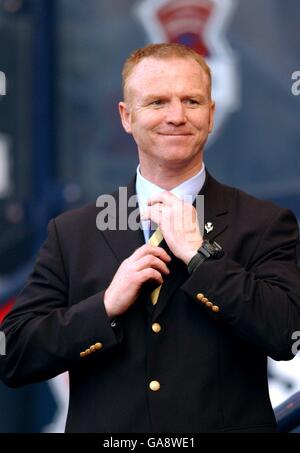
point(168, 111)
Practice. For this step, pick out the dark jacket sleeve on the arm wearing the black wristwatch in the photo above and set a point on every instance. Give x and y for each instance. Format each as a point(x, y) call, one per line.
point(260, 303)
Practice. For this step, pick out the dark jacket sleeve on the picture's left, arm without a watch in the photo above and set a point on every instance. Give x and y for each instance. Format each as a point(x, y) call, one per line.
point(44, 334)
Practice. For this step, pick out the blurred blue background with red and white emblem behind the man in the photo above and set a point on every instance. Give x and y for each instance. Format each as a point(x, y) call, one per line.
point(61, 142)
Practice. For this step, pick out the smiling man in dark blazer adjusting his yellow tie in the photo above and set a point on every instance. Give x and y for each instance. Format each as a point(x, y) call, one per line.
point(168, 336)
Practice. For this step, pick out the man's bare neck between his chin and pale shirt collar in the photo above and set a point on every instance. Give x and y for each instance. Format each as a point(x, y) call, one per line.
point(168, 177)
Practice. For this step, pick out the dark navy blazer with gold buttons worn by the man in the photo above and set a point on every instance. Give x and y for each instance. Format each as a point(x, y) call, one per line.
point(211, 365)
